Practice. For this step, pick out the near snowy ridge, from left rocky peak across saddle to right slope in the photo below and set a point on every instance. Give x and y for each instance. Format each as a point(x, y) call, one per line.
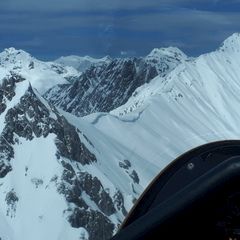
point(119, 152)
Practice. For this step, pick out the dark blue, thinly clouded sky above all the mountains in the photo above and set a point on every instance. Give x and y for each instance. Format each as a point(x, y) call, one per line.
point(52, 28)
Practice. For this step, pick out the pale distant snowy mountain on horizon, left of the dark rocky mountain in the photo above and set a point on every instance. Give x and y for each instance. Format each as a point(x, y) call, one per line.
point(81, 63)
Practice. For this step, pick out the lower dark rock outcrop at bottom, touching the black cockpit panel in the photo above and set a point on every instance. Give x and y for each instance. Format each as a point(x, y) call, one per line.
point(76, 187)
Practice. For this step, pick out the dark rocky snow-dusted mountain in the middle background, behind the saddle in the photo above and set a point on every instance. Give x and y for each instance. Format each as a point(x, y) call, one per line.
point(105, 87)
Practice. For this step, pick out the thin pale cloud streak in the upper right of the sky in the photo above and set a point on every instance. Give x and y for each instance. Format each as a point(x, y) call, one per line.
point(178, 20)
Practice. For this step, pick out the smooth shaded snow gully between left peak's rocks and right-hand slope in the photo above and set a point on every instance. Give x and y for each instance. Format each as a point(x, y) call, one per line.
point(109, 152)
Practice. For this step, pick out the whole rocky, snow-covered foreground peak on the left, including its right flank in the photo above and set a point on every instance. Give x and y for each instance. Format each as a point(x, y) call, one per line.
point(55, 182)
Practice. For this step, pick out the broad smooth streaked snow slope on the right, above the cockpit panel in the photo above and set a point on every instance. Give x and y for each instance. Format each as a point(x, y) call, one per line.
point(196, 103)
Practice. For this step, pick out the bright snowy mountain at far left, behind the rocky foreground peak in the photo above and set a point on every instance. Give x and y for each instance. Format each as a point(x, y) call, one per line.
point(42, 75)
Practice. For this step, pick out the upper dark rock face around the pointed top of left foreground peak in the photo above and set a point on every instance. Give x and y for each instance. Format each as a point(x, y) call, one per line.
point(30, 118)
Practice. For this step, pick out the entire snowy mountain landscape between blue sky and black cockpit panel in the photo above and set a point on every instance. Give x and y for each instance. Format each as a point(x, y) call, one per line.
point(81, 138)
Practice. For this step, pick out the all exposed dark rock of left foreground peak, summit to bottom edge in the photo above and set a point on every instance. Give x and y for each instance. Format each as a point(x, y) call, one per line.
point(29, 117)
